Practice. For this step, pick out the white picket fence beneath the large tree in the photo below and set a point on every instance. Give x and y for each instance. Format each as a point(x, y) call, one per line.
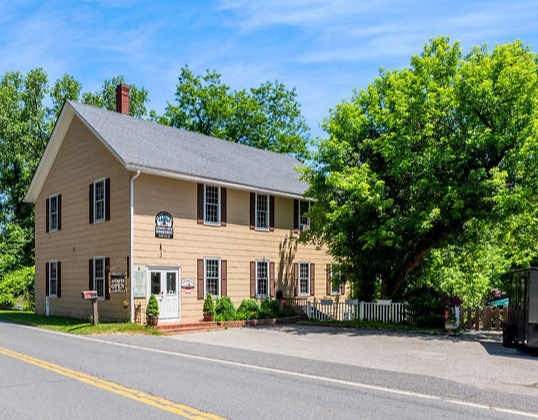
point(328, 310)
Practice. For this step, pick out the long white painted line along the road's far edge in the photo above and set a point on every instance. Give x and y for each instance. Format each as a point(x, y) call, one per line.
point(295, 374)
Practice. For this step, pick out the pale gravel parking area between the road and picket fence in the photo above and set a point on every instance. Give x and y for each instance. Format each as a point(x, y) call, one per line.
point(475, 359)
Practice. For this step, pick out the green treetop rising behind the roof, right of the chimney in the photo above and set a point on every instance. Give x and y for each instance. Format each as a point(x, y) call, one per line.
point(267, 117)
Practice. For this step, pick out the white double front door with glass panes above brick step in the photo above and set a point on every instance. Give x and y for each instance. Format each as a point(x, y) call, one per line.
point(164, 285)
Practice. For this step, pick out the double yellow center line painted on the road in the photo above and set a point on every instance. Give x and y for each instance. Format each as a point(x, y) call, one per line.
point(157, 402)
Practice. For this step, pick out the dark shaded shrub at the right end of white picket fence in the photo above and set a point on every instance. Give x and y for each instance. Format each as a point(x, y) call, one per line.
point(427, 307)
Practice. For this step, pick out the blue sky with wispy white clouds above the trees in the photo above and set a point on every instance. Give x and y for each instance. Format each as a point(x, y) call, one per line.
point(322, 48)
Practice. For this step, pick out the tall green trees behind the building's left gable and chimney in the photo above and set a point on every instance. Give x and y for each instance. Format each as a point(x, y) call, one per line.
point(29, 107)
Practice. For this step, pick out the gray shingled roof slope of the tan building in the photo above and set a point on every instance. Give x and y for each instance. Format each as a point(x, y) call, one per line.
point(144, 143)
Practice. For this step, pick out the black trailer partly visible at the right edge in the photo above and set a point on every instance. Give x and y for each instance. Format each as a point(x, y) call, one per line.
point(522, 327)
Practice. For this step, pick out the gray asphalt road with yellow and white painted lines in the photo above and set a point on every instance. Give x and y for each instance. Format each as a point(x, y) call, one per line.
point(46, 375)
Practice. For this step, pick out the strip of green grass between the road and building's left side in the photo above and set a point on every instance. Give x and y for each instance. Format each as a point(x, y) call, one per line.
point(72, 325)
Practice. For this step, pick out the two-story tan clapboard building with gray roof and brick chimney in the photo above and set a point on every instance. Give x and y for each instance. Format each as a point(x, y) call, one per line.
point(123, 202)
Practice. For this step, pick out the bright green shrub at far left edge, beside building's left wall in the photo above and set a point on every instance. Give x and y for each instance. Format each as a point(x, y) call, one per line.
point(18, 287)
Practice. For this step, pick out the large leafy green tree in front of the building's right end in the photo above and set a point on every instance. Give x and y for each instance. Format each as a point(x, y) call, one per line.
point(422, 154)
